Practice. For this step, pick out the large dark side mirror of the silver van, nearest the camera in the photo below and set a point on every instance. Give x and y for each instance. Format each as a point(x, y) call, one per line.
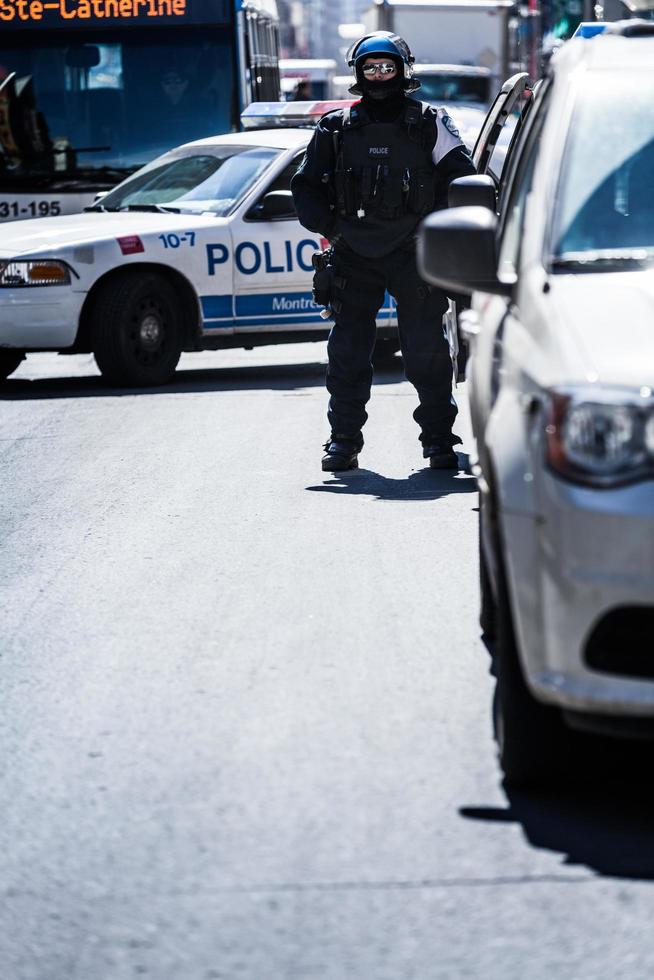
point(457, 251)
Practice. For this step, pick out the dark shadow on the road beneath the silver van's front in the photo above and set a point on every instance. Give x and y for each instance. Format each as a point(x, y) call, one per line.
point(607, 828)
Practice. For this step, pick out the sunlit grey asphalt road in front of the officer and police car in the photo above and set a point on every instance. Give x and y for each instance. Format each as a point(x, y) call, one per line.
point(245, 705)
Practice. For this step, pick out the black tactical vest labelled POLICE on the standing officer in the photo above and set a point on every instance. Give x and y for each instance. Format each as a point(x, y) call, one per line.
point(384, 178)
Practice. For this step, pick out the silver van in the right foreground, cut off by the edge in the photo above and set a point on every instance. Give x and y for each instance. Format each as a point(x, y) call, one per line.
point(559, 256)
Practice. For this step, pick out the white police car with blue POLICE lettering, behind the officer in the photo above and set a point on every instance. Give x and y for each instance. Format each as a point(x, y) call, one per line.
point(200, 249)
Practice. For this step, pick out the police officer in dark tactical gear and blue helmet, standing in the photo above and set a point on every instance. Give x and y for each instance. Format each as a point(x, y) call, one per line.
point(370, 174)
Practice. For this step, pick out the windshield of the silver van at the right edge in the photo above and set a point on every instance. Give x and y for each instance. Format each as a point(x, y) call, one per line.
point(606, 195)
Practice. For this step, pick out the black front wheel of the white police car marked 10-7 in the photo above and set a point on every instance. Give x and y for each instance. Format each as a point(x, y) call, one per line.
point(136, 330)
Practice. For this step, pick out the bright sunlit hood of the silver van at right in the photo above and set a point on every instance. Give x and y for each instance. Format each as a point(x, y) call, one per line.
point(609, 318)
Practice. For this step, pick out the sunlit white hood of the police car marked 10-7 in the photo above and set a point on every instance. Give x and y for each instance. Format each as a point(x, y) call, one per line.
point(52, 234)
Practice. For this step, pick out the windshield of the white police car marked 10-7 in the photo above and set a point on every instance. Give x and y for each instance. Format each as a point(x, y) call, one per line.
point(198, 179)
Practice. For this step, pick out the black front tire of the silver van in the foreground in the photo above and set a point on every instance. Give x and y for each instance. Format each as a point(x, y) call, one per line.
point(535, 747)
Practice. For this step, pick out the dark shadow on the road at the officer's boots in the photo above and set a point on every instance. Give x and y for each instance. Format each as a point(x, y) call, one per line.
point(423, 484)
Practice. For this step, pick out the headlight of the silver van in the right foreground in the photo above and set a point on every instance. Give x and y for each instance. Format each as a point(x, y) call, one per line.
point(600, 438)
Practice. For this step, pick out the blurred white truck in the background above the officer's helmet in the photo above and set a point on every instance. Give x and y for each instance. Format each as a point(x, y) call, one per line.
point(455, 32)
